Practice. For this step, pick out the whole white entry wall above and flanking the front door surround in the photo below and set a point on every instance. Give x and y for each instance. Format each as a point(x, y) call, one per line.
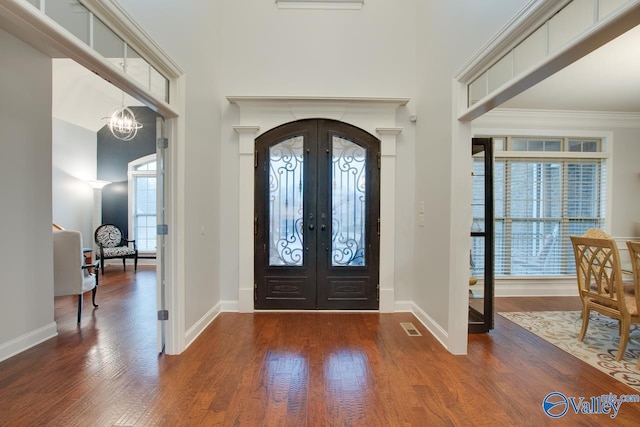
point(339, 53)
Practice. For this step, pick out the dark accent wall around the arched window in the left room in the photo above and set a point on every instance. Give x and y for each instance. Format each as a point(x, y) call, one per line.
point(113, 157)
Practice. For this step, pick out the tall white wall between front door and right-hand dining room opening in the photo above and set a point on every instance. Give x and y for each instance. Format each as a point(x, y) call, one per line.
point(449, 33)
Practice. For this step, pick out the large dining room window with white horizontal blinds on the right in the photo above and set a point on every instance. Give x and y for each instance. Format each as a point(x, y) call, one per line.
point(545, 189)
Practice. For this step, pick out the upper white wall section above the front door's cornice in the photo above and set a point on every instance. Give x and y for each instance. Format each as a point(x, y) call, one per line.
point(271, 51)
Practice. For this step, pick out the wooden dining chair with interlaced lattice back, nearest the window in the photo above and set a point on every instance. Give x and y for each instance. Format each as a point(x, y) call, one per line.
point(601, 287)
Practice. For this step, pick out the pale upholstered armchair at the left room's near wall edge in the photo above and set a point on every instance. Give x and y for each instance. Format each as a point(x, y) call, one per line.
point(71, 275)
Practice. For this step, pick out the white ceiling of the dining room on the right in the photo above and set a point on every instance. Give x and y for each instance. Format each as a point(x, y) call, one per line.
point(608, 79)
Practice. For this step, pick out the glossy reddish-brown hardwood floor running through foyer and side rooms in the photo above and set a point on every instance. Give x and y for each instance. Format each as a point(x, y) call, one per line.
point(315, 369)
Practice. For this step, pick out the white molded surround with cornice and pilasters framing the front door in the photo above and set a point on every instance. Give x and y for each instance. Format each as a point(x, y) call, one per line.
point(260, 114)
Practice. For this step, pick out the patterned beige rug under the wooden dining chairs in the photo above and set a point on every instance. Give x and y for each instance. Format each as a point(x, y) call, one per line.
point(600, 345)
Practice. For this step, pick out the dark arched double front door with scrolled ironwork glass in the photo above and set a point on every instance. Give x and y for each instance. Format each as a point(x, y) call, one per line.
point(317, 208)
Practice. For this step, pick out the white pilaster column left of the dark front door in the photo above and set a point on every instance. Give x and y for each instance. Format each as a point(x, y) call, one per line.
point(246, 151)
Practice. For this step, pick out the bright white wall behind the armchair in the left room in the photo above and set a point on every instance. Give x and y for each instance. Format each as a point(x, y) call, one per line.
point(74, 162)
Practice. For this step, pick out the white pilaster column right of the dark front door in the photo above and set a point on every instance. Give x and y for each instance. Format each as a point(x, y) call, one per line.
point(387, 217)
